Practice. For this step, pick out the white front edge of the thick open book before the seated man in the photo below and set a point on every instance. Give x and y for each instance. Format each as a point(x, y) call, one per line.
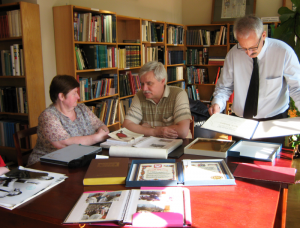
point(120, 151)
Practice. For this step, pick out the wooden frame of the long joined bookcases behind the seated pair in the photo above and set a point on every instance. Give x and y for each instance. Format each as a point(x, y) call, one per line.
point(127, 28)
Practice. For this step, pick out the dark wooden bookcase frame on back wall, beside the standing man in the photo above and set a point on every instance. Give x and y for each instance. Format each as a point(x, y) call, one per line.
point(206, 90)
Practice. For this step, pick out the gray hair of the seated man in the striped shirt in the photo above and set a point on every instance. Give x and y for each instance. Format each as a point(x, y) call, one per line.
point(157, 68)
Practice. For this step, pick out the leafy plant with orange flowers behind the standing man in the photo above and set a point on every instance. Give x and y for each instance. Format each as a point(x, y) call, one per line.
point(289, 32)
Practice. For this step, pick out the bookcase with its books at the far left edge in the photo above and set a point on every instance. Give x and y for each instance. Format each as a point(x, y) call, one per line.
point(30, 78)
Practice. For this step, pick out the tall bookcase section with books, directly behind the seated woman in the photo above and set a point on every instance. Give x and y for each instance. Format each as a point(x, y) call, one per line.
point(99, 80)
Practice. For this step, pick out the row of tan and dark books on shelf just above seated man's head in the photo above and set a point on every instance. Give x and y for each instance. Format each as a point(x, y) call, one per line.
point(129, 56)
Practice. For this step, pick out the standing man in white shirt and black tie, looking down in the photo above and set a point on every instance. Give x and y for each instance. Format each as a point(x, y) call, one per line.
point(263, 72)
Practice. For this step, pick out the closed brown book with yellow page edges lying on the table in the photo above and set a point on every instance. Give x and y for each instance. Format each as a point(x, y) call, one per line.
point(106, 171)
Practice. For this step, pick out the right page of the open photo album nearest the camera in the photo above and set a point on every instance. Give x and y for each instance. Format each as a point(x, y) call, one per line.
point(147, 201)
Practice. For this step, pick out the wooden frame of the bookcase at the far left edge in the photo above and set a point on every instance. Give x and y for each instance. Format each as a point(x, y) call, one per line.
point(32, 78)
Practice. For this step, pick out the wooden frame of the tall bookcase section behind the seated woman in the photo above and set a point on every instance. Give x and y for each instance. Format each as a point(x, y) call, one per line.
point(65, 43)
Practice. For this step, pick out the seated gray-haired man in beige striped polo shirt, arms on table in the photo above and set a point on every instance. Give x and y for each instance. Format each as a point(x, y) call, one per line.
point(158, 109)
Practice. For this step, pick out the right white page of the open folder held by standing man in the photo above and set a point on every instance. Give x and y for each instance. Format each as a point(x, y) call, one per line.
point(275, 128)
